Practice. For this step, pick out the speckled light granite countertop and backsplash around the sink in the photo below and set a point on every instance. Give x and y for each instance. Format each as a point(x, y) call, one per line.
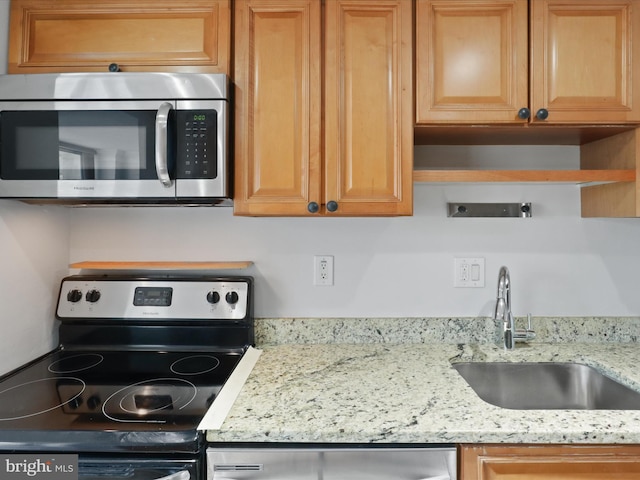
point(406, 391)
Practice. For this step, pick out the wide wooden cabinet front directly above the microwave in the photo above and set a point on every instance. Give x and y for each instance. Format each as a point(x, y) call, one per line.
point(138, 35)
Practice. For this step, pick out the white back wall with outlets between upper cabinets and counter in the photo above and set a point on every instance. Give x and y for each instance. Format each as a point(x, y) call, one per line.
point(560, 263)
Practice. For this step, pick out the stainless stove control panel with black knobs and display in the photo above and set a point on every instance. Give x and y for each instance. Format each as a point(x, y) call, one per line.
point(220, 298)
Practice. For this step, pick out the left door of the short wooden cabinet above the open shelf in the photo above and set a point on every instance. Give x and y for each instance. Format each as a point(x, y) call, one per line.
point(471, 60)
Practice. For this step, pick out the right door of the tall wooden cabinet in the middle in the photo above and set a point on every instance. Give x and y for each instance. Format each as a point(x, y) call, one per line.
point(368, 107)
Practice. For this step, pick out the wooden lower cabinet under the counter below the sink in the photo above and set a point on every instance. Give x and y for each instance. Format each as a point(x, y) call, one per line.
point(549, 462)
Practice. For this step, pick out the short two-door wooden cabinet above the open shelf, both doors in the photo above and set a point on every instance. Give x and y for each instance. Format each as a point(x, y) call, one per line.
point(476, 62)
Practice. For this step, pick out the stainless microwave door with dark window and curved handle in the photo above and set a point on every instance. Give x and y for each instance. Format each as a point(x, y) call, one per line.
point(88, 149)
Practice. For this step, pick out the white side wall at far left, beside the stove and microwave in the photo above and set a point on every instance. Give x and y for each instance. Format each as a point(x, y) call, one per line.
point(34, 252)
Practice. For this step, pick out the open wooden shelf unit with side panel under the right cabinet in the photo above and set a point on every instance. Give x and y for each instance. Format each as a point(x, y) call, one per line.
point(609, 163)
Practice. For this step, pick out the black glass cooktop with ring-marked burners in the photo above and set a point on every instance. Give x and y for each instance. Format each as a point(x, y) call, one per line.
point(125, 391)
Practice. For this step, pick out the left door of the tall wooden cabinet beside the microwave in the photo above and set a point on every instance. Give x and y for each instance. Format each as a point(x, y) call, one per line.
point(277, 106)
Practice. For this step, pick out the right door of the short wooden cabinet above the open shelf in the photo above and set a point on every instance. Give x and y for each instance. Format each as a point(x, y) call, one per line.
point(585, 60)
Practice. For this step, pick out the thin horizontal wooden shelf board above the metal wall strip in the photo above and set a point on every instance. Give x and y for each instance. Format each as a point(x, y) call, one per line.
point(566, 176)
